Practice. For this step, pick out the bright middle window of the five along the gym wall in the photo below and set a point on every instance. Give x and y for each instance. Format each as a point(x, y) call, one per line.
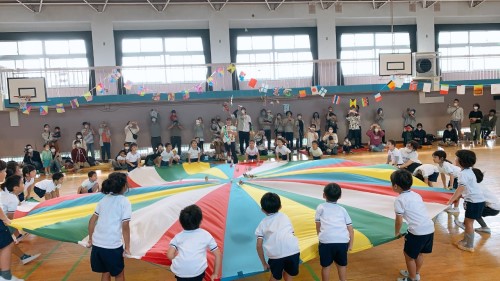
point(275, 56)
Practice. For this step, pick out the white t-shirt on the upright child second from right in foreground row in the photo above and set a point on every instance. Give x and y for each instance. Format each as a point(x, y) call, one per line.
point(334, 220)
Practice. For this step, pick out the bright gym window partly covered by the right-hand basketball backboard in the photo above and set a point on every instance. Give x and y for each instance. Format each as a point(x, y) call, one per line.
point(361, 50)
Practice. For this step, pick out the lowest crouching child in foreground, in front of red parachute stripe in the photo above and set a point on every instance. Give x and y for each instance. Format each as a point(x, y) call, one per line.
point(188, 249)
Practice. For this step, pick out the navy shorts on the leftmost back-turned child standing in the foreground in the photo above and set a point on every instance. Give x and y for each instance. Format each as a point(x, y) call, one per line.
point(107, 260)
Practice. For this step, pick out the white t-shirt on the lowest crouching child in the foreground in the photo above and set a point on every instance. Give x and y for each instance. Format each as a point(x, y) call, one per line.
point(192, 246)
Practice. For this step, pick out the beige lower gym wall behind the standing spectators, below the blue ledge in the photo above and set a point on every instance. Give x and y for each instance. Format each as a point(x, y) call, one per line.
point(432, 116)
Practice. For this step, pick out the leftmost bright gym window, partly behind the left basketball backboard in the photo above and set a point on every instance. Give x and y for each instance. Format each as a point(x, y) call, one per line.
point(43, 55)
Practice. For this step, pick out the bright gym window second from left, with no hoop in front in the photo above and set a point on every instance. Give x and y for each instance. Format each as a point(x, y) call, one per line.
point(163, 60)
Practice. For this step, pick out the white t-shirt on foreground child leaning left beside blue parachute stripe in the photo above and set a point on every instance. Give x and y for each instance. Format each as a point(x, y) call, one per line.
point(279, 239)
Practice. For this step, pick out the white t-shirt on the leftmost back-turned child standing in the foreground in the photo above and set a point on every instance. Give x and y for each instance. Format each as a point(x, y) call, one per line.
point(112, 211)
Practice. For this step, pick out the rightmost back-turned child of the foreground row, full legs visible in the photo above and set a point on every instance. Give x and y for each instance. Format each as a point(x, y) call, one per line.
point(420, 237)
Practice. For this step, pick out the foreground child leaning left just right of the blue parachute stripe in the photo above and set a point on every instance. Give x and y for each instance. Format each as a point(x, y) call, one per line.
point(275, 236)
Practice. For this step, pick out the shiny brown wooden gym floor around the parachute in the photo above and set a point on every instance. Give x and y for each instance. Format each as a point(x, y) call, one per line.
point(64, 261)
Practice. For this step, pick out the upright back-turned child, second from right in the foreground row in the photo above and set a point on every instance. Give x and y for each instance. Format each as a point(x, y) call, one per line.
point(335, 233)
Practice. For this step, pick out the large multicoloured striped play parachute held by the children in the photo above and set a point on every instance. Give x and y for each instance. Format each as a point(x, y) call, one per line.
point(229, 197)
